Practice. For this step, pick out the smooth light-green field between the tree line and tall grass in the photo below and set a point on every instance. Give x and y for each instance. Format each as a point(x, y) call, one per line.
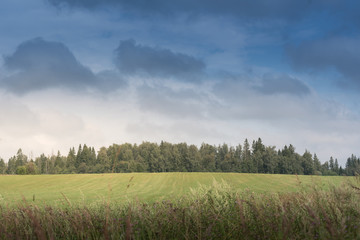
point(94, 188)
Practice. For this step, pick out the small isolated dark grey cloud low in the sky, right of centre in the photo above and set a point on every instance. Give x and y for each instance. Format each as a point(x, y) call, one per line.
point(282, 84)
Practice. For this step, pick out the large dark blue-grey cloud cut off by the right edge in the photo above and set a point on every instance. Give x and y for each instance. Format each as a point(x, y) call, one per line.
point(340, 53)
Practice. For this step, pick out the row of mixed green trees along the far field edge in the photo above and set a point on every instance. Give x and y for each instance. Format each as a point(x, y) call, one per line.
point(181, 157)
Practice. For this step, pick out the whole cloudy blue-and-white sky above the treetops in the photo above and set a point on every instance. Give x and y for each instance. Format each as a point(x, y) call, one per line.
point(114, 71)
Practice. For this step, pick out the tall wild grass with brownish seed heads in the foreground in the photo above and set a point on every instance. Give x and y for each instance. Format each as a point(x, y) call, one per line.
point(214, 212)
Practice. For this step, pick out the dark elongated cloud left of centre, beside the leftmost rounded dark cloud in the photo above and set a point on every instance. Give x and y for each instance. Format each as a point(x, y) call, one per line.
point(132, 58)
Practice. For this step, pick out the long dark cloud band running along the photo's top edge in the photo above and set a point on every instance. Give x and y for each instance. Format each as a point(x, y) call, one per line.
point(256, 8)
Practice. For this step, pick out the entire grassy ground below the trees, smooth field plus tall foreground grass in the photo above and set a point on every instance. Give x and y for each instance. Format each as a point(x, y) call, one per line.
point(192, 206)
